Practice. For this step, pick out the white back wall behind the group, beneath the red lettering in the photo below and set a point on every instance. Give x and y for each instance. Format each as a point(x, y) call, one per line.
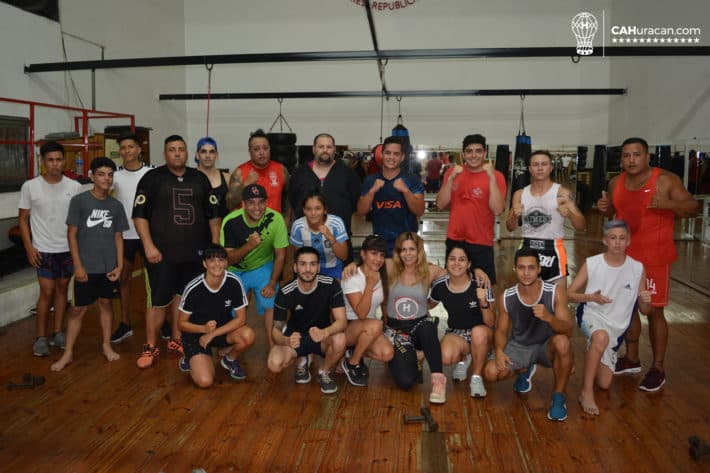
point(279, 25)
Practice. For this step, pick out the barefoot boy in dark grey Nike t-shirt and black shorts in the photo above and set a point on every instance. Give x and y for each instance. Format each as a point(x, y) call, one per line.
point(95, 223)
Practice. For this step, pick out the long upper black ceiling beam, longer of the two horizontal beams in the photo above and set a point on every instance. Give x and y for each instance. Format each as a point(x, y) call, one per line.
point(397, 54)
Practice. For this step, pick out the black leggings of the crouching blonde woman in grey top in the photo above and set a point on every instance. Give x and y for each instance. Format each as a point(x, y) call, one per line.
point(423, 336)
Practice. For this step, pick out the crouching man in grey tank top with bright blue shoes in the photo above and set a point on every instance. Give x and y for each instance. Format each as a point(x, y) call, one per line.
point(538, 321)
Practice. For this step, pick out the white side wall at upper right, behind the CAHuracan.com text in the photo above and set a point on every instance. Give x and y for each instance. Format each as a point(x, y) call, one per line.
point(669, 97)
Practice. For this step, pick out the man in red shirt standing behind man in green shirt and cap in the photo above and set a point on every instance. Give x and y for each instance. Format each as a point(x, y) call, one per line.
point(260, 169)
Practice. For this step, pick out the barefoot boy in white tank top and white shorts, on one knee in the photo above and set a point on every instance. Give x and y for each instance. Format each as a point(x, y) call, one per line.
point(613, 282)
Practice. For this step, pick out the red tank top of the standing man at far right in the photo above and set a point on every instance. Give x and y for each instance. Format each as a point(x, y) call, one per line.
point(651, 229)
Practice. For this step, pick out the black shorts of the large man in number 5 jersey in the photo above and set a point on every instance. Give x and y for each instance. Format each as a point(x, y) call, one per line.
point(166, 280)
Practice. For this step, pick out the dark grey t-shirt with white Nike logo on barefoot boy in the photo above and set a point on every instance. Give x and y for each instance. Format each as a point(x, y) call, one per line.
point(97, 221)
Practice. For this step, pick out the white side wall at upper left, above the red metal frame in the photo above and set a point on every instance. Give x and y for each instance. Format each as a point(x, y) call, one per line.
point(131, 28)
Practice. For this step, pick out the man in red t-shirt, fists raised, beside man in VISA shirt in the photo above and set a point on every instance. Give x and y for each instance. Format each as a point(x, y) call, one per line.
point(475, 195)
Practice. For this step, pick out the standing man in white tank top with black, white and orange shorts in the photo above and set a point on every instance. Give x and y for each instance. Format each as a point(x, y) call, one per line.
point(541, 208)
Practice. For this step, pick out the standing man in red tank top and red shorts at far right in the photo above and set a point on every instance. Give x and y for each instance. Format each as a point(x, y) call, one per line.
point(648, 200)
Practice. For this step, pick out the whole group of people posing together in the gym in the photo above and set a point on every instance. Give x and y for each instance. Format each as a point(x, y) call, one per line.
point(209, 239)
